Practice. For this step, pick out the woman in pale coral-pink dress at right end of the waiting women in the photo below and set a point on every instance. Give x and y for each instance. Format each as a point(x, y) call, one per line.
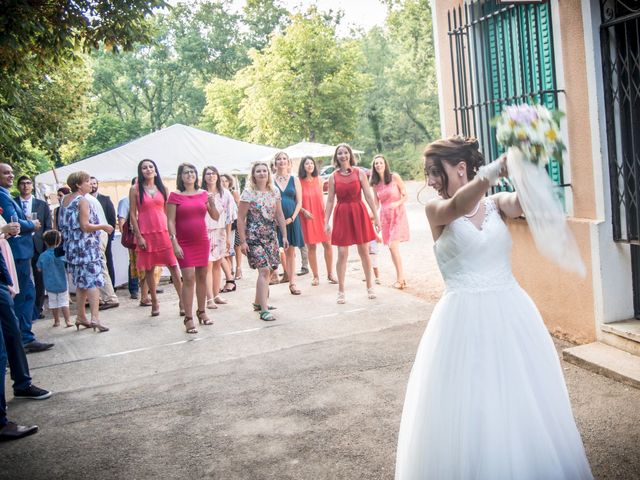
point(390, 195)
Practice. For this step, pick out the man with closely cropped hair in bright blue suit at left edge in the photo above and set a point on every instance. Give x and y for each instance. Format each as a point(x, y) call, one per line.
point(22, 249)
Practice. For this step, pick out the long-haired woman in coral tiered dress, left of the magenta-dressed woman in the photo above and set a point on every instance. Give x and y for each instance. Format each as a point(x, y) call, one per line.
point(148, 219)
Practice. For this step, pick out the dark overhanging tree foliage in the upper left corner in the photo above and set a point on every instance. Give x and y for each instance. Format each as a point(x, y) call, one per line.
point(39, 46)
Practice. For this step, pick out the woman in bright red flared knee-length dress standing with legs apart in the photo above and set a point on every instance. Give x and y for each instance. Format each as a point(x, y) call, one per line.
point(351, 221)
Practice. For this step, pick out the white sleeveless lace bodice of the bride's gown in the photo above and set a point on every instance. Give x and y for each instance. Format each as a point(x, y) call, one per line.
point(473, 259)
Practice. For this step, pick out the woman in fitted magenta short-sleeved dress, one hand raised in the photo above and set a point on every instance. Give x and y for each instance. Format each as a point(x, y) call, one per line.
point(186, 210)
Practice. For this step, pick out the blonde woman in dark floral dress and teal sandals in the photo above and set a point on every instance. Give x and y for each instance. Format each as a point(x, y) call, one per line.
point(259, 215)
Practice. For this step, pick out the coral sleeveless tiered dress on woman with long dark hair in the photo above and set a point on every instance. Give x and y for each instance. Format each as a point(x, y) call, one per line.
point(152, 222)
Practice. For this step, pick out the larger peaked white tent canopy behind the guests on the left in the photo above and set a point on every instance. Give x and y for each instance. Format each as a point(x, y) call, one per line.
point(168, 148)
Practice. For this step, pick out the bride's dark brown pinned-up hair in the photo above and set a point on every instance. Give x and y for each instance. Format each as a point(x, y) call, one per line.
point(454, 150)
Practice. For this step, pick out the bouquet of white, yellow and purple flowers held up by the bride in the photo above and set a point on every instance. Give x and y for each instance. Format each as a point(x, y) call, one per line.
point(533, 129)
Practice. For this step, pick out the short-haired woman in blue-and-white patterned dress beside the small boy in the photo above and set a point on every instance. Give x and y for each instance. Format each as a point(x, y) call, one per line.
point(80, 226)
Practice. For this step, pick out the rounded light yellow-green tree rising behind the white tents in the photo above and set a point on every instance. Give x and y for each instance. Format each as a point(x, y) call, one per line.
point(304, 85)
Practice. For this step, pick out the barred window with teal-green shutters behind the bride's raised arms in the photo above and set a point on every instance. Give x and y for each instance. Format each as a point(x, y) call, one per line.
point(500, 55)
